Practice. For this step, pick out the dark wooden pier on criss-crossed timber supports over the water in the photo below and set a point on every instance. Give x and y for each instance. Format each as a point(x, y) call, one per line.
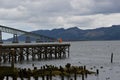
point(36, 51)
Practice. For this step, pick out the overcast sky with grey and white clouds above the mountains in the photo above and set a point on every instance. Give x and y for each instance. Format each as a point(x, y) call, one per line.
point(31, 15)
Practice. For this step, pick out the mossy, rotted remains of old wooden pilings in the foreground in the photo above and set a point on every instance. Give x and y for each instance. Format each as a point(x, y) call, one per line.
point(46, 72)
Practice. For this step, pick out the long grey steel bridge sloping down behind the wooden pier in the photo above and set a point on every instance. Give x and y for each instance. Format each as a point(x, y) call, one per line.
point(28, 35)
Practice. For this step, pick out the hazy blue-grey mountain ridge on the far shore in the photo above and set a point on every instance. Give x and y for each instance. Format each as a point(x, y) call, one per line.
point(76, 34)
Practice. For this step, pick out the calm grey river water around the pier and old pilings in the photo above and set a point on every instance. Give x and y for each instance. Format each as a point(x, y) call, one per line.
point(93, 54)
